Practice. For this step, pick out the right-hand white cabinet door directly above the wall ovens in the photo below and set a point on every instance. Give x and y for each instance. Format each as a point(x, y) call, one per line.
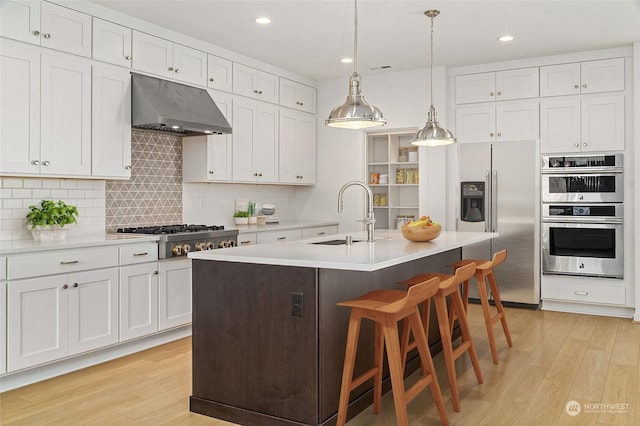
point(603, 123)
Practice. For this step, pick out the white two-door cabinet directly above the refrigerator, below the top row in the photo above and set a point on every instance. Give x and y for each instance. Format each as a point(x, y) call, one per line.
point(503, 121)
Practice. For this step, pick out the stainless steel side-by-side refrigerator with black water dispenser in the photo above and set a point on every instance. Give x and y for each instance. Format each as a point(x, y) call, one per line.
point(498, 193)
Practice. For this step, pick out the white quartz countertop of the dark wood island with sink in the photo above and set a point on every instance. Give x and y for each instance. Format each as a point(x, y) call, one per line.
point(390, 248)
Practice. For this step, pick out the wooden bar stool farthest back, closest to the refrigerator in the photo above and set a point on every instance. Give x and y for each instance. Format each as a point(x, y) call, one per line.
point(484, 273)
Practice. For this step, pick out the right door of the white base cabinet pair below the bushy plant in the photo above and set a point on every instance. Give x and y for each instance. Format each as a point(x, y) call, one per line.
point(93, 309)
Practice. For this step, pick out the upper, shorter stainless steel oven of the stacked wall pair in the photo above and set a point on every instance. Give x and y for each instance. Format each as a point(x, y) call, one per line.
point(582, 178)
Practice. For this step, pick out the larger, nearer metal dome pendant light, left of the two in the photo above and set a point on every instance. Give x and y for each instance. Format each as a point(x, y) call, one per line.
point(355, 113)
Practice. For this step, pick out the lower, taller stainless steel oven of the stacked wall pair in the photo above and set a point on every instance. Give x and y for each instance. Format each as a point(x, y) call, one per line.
point(585, 239)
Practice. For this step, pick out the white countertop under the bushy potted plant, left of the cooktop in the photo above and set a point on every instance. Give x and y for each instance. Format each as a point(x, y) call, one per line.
point(90, 240)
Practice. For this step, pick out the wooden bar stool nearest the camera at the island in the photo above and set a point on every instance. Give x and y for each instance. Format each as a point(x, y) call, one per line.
point(386, 308)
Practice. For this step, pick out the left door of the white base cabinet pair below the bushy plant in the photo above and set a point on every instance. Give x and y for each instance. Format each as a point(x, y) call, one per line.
point(37, 321)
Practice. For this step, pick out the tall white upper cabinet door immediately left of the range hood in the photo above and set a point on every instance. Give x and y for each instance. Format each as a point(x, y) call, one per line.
point(111, 124)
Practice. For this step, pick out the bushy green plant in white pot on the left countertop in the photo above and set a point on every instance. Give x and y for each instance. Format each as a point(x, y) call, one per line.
point(47, 220)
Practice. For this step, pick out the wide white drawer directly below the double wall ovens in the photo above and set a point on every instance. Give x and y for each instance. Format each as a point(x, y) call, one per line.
point(575, 291)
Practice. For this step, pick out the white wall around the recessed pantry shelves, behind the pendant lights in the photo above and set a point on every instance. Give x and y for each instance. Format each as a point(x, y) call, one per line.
point(403, 98)
